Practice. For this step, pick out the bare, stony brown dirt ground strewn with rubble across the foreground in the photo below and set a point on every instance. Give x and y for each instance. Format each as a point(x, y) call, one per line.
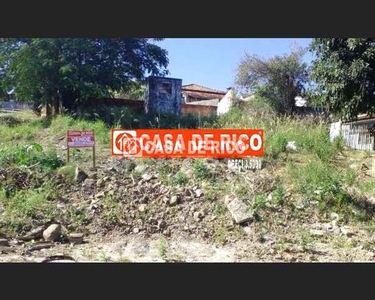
point(188, 231)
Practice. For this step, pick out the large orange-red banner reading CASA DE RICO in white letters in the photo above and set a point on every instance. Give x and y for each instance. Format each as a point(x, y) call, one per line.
point(219, 143)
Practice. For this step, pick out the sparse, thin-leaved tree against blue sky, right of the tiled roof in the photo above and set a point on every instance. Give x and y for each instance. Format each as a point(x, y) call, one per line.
point(278, 79)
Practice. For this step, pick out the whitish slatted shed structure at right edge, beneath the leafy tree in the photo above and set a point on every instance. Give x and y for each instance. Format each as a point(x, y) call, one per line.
point(358, 134)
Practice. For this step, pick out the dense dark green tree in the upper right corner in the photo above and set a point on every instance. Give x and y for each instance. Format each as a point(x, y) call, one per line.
point(344, 72)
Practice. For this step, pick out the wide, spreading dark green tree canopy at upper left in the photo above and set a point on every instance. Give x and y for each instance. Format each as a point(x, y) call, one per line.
point(68, 71)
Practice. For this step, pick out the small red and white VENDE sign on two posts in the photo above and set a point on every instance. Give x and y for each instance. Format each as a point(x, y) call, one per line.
point(81, 139)
